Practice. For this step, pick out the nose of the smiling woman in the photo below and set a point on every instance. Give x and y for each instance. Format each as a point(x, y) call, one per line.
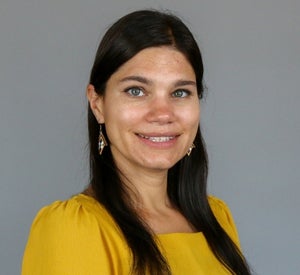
point(161, 110)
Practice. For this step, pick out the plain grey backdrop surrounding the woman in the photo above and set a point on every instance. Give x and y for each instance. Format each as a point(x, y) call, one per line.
point(250, 118)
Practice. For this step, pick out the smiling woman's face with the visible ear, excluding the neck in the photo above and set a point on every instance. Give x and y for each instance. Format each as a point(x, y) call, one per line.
point(150, 109)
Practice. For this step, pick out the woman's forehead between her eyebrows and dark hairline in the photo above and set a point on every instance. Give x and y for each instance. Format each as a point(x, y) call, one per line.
point(157, 60)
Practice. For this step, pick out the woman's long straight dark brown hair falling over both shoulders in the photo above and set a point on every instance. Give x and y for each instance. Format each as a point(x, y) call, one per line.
point(186, 180)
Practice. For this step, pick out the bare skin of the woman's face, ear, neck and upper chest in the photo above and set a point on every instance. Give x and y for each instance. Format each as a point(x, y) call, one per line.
point(151, 113)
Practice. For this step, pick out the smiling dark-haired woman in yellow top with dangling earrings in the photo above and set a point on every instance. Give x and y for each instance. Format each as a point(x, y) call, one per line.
point(146, 210)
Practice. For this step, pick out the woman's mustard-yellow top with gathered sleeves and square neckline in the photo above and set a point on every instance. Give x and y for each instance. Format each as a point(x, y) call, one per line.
point(79, 237)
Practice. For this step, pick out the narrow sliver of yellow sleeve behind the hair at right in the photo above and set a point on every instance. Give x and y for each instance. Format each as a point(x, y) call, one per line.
point(224, 217)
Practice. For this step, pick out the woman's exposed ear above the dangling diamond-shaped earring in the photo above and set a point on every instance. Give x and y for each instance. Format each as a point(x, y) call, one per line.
point(96, 103)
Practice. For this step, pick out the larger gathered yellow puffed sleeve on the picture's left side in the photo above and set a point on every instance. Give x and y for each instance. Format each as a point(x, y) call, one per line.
point(64, 240)
